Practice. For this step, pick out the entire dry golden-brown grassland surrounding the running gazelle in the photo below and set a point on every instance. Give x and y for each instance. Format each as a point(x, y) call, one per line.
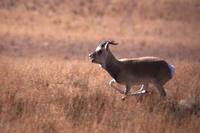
point(48, 85)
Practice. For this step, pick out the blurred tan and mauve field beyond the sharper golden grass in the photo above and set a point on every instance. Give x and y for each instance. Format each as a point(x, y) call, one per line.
point(71, 29)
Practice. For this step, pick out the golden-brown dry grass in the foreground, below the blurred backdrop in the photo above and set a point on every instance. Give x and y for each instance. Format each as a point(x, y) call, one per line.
point(44, 95)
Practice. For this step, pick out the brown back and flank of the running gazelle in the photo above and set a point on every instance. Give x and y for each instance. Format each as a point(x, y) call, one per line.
point(151, 68)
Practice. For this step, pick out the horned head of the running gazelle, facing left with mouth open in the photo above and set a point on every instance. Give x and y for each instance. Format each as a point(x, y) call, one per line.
point(102, 53)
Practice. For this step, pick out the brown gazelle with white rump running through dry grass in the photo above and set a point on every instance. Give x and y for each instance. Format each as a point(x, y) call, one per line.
point(134, 71)
